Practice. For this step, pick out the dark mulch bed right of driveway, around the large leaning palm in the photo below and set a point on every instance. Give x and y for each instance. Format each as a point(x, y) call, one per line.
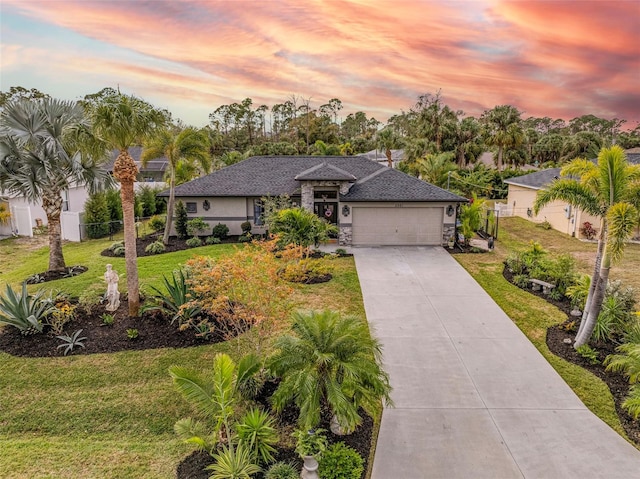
point(617, 383)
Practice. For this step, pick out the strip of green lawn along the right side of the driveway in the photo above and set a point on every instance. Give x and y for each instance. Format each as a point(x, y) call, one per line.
point(534, 315)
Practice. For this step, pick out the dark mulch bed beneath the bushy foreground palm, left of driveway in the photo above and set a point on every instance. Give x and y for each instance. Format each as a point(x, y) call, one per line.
point(192, 467)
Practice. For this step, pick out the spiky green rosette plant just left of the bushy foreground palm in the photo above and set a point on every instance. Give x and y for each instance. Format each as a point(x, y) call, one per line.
point(257, 432)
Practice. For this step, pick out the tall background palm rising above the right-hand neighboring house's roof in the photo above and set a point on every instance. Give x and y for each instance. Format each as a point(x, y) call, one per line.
point(502, 128)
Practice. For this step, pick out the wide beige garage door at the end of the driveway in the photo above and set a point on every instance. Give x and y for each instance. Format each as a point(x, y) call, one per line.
point(397, 226)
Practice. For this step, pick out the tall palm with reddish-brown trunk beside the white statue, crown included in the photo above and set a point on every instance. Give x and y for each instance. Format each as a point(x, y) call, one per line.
point(123, 121)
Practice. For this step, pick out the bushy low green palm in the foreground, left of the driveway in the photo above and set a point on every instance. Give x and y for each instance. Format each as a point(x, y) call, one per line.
point(332, 361)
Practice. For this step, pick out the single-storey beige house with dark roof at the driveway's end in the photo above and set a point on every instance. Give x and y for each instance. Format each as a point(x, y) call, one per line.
point(370, 203)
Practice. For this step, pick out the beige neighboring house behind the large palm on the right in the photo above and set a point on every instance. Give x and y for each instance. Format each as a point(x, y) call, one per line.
point(562, 216)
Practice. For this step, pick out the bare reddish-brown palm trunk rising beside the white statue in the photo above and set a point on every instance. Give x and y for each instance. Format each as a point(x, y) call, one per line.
point(125, 171)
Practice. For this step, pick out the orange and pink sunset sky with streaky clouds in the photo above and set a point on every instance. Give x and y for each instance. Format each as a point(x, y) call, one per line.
point(558, 58)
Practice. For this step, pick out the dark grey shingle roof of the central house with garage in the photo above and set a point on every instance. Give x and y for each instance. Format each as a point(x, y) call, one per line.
point(276, 175)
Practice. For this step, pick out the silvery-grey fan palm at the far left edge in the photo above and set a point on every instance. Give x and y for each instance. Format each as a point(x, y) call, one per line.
point(45, 147)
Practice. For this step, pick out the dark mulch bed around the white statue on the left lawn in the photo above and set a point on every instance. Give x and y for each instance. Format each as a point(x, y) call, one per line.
point(155, 331)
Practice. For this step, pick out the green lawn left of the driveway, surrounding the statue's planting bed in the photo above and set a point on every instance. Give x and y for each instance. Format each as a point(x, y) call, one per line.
point(112, 415)
